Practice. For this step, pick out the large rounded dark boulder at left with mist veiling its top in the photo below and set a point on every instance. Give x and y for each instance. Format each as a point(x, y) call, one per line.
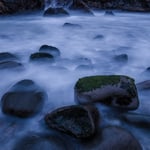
point(24, 99)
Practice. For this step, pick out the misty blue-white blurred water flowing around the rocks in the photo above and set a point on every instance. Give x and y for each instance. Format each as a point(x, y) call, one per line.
point(23, 35)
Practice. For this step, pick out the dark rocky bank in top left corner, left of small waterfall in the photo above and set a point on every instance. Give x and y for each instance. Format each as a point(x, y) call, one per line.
point(17, 6)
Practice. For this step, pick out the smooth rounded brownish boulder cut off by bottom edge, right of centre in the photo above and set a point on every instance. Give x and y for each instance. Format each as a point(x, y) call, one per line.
point(112, 138)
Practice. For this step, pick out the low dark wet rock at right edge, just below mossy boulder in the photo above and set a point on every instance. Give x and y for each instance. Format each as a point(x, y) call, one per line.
point(137, 119)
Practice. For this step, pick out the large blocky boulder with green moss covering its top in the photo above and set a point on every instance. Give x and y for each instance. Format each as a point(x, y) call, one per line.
point(115, 90)
